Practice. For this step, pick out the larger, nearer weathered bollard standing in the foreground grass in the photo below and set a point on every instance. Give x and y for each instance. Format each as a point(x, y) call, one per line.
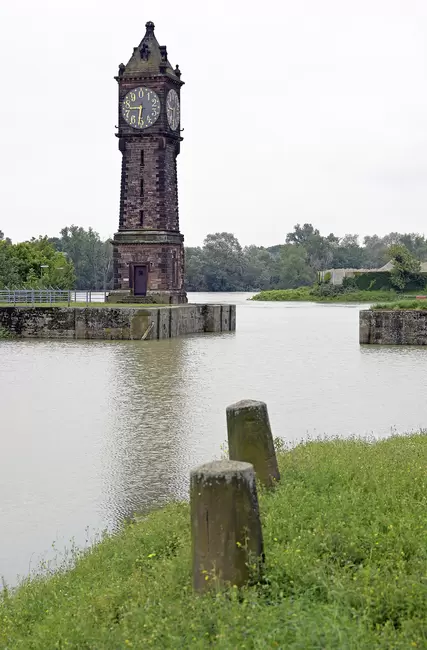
point(225, 524)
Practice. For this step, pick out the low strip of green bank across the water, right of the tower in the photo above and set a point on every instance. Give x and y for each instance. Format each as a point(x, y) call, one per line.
point(312, 294)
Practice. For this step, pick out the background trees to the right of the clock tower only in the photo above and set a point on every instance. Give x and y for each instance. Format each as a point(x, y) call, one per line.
point(222, 264)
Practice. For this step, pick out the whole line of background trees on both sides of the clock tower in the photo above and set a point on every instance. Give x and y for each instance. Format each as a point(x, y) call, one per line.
point(79, 258)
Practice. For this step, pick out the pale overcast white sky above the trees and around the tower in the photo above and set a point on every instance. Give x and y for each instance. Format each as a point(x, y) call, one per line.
point(309, 111)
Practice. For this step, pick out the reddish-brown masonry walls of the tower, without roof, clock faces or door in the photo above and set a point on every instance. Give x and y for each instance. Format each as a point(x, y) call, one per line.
point(149, 196)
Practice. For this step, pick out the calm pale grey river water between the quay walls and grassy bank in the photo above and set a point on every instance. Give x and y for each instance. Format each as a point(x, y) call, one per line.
point(93, 431)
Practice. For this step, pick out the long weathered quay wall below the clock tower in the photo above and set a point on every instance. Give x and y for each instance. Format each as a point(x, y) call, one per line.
point(115, 323)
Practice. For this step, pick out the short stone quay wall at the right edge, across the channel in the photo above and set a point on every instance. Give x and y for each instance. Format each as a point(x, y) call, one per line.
point(393, 327)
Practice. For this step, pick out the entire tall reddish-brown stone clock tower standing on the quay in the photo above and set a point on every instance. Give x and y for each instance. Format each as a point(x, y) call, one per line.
point(148, 248)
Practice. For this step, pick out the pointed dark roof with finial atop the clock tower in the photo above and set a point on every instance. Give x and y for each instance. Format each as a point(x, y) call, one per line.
point(149, 58)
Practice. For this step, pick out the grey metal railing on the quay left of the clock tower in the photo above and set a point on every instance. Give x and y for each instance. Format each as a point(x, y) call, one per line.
point(50, 296)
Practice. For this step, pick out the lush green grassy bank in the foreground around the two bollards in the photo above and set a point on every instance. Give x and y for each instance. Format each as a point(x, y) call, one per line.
point(345, 537)
